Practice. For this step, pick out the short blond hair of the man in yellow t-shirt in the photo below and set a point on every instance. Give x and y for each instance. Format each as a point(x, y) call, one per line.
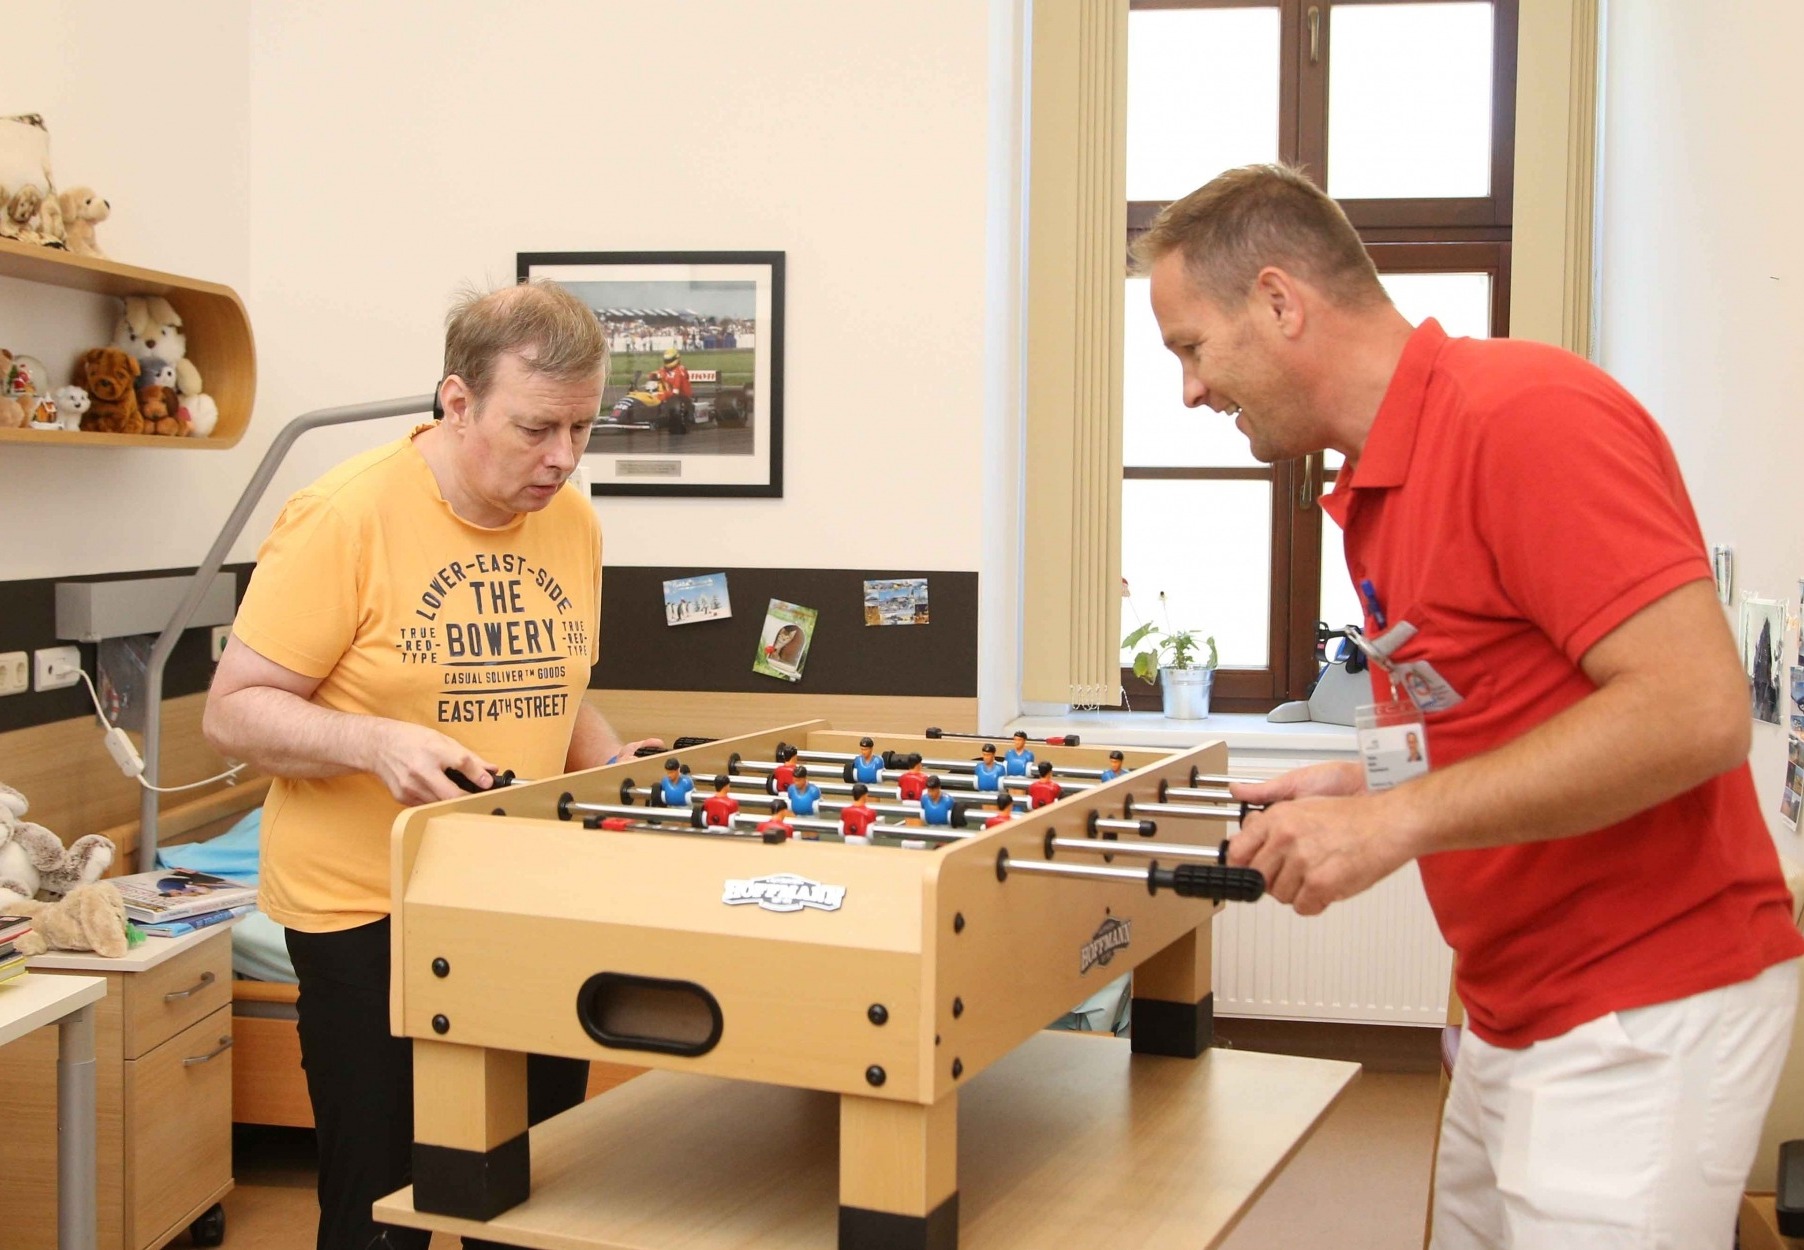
point(540, 322)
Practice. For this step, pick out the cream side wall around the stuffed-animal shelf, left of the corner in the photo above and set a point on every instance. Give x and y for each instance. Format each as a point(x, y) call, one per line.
point(151, 107)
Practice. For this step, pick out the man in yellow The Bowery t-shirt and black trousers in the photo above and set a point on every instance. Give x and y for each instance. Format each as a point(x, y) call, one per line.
point(428, 605)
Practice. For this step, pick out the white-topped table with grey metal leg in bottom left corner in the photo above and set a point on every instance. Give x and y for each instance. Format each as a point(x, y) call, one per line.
point(26, 1006)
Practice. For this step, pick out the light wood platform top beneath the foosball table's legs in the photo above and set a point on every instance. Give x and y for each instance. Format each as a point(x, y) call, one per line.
point(1067, 1141)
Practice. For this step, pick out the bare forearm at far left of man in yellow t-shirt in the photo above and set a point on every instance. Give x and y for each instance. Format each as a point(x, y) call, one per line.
point(288, 737)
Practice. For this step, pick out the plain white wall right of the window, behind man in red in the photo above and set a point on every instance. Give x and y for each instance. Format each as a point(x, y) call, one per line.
point(1702, 295)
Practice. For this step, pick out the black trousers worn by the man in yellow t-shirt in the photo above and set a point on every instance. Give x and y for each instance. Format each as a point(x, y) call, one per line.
point(362, 1085)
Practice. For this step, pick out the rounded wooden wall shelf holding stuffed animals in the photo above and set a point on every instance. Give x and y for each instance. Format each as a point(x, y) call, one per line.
point(214, 318)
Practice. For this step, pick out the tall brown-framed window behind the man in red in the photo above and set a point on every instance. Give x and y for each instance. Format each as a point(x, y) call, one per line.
point(1406, 113)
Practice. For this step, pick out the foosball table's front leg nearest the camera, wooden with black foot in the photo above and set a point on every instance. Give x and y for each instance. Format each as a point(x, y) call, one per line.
point(897, 1175)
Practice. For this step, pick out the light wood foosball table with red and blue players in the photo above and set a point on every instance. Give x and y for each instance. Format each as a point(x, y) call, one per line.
point(571, 917)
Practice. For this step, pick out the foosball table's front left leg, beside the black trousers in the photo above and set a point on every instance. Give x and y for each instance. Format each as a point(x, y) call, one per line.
point(470, 1130)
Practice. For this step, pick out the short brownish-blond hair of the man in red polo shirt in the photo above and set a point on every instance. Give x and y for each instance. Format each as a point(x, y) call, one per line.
point(1262, 216)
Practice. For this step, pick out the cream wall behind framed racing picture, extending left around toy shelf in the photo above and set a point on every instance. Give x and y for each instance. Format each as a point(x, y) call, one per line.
point(347, 167)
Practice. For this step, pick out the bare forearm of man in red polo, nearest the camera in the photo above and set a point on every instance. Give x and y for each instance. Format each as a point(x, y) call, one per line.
point(1619, 751)
